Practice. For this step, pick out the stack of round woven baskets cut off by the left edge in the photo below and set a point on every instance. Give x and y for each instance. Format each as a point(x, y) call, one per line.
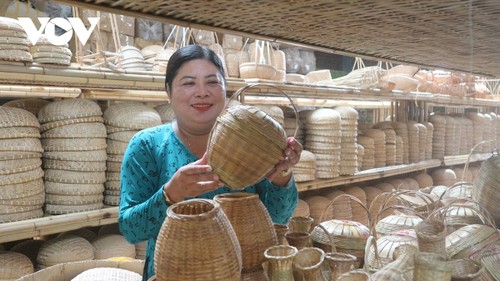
point(21, 185)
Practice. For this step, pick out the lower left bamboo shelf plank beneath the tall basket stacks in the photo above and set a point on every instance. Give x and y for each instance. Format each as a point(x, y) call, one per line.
point(56, 224)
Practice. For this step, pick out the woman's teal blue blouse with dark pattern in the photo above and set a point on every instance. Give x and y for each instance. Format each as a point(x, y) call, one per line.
point(152, 157)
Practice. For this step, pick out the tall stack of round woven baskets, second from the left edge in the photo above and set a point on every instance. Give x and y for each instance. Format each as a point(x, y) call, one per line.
point(74, 158)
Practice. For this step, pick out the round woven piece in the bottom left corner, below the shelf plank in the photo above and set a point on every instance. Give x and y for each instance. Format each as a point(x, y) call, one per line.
point(14, 265)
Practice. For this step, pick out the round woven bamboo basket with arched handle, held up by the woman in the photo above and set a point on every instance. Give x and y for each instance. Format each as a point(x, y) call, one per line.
point(245, 143)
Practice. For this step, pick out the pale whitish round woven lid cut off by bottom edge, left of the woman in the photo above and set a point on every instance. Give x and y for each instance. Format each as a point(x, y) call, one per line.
point(107, 274)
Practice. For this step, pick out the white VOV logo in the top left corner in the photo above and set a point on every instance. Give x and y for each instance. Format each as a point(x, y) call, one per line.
point(48, 28)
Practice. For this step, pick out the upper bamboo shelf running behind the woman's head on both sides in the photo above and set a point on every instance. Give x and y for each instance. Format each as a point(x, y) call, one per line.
point(104, 83)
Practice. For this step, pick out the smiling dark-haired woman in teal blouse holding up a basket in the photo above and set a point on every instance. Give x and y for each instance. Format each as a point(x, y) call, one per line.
point(168, 164)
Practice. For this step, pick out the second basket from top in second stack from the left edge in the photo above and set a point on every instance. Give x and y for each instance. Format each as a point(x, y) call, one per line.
point(79, 130)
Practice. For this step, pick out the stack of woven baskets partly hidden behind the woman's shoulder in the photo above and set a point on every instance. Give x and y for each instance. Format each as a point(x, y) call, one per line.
point(123, 121)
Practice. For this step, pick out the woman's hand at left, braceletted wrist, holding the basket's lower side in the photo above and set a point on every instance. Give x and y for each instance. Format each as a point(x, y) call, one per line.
point(192, 180)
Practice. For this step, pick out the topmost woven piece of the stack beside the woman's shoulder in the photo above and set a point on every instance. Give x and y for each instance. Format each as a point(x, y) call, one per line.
point(133, 115)
